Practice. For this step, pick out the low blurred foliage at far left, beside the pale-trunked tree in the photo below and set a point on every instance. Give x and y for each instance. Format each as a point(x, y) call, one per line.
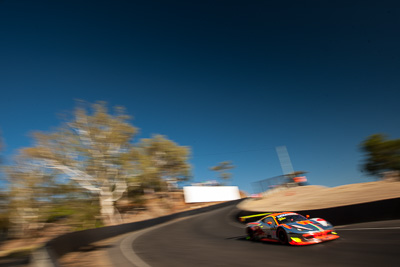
point(37, 195)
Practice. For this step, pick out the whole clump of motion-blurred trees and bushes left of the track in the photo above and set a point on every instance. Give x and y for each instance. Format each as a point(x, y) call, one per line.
point(80, 171)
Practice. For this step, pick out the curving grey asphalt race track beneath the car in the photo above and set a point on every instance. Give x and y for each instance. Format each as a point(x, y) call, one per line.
point(214, 239)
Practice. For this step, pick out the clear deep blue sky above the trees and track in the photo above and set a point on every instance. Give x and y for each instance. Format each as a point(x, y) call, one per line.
point(230, 79)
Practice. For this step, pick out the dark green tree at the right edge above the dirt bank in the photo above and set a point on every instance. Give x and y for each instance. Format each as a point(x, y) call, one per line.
point(382, 155)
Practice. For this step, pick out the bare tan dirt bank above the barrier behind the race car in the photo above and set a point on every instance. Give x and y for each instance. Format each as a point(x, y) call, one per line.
point(318, 197)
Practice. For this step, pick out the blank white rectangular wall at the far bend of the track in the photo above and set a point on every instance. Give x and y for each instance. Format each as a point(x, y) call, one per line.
point(210, 193)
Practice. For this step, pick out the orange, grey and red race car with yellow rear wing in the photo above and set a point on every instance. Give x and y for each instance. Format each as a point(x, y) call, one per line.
point(290, 228)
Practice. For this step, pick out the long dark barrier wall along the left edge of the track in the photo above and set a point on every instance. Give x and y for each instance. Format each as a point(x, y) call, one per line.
point(48, 255)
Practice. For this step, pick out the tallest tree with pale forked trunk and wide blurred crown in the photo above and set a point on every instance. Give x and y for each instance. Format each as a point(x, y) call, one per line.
point(94, 150)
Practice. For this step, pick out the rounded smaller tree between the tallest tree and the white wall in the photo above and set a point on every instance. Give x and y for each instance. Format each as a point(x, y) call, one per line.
point(162, 161)
